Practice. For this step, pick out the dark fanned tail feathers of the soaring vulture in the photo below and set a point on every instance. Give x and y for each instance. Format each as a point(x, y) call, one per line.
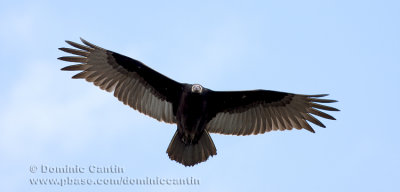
point(191, 154)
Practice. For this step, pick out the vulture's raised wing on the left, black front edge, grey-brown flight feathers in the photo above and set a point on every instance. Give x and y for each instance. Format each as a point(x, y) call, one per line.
point(133, 83)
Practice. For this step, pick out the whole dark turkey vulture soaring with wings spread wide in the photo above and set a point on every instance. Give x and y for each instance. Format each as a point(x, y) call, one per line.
point(196, 110)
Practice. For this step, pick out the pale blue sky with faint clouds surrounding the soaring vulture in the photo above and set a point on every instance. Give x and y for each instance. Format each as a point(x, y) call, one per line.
point(349, 49)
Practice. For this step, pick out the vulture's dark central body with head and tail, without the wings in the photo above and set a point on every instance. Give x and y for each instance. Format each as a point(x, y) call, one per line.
point(191, 142)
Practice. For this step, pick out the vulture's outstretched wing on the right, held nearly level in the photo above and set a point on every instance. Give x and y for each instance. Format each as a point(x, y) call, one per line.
point(260, 111)
